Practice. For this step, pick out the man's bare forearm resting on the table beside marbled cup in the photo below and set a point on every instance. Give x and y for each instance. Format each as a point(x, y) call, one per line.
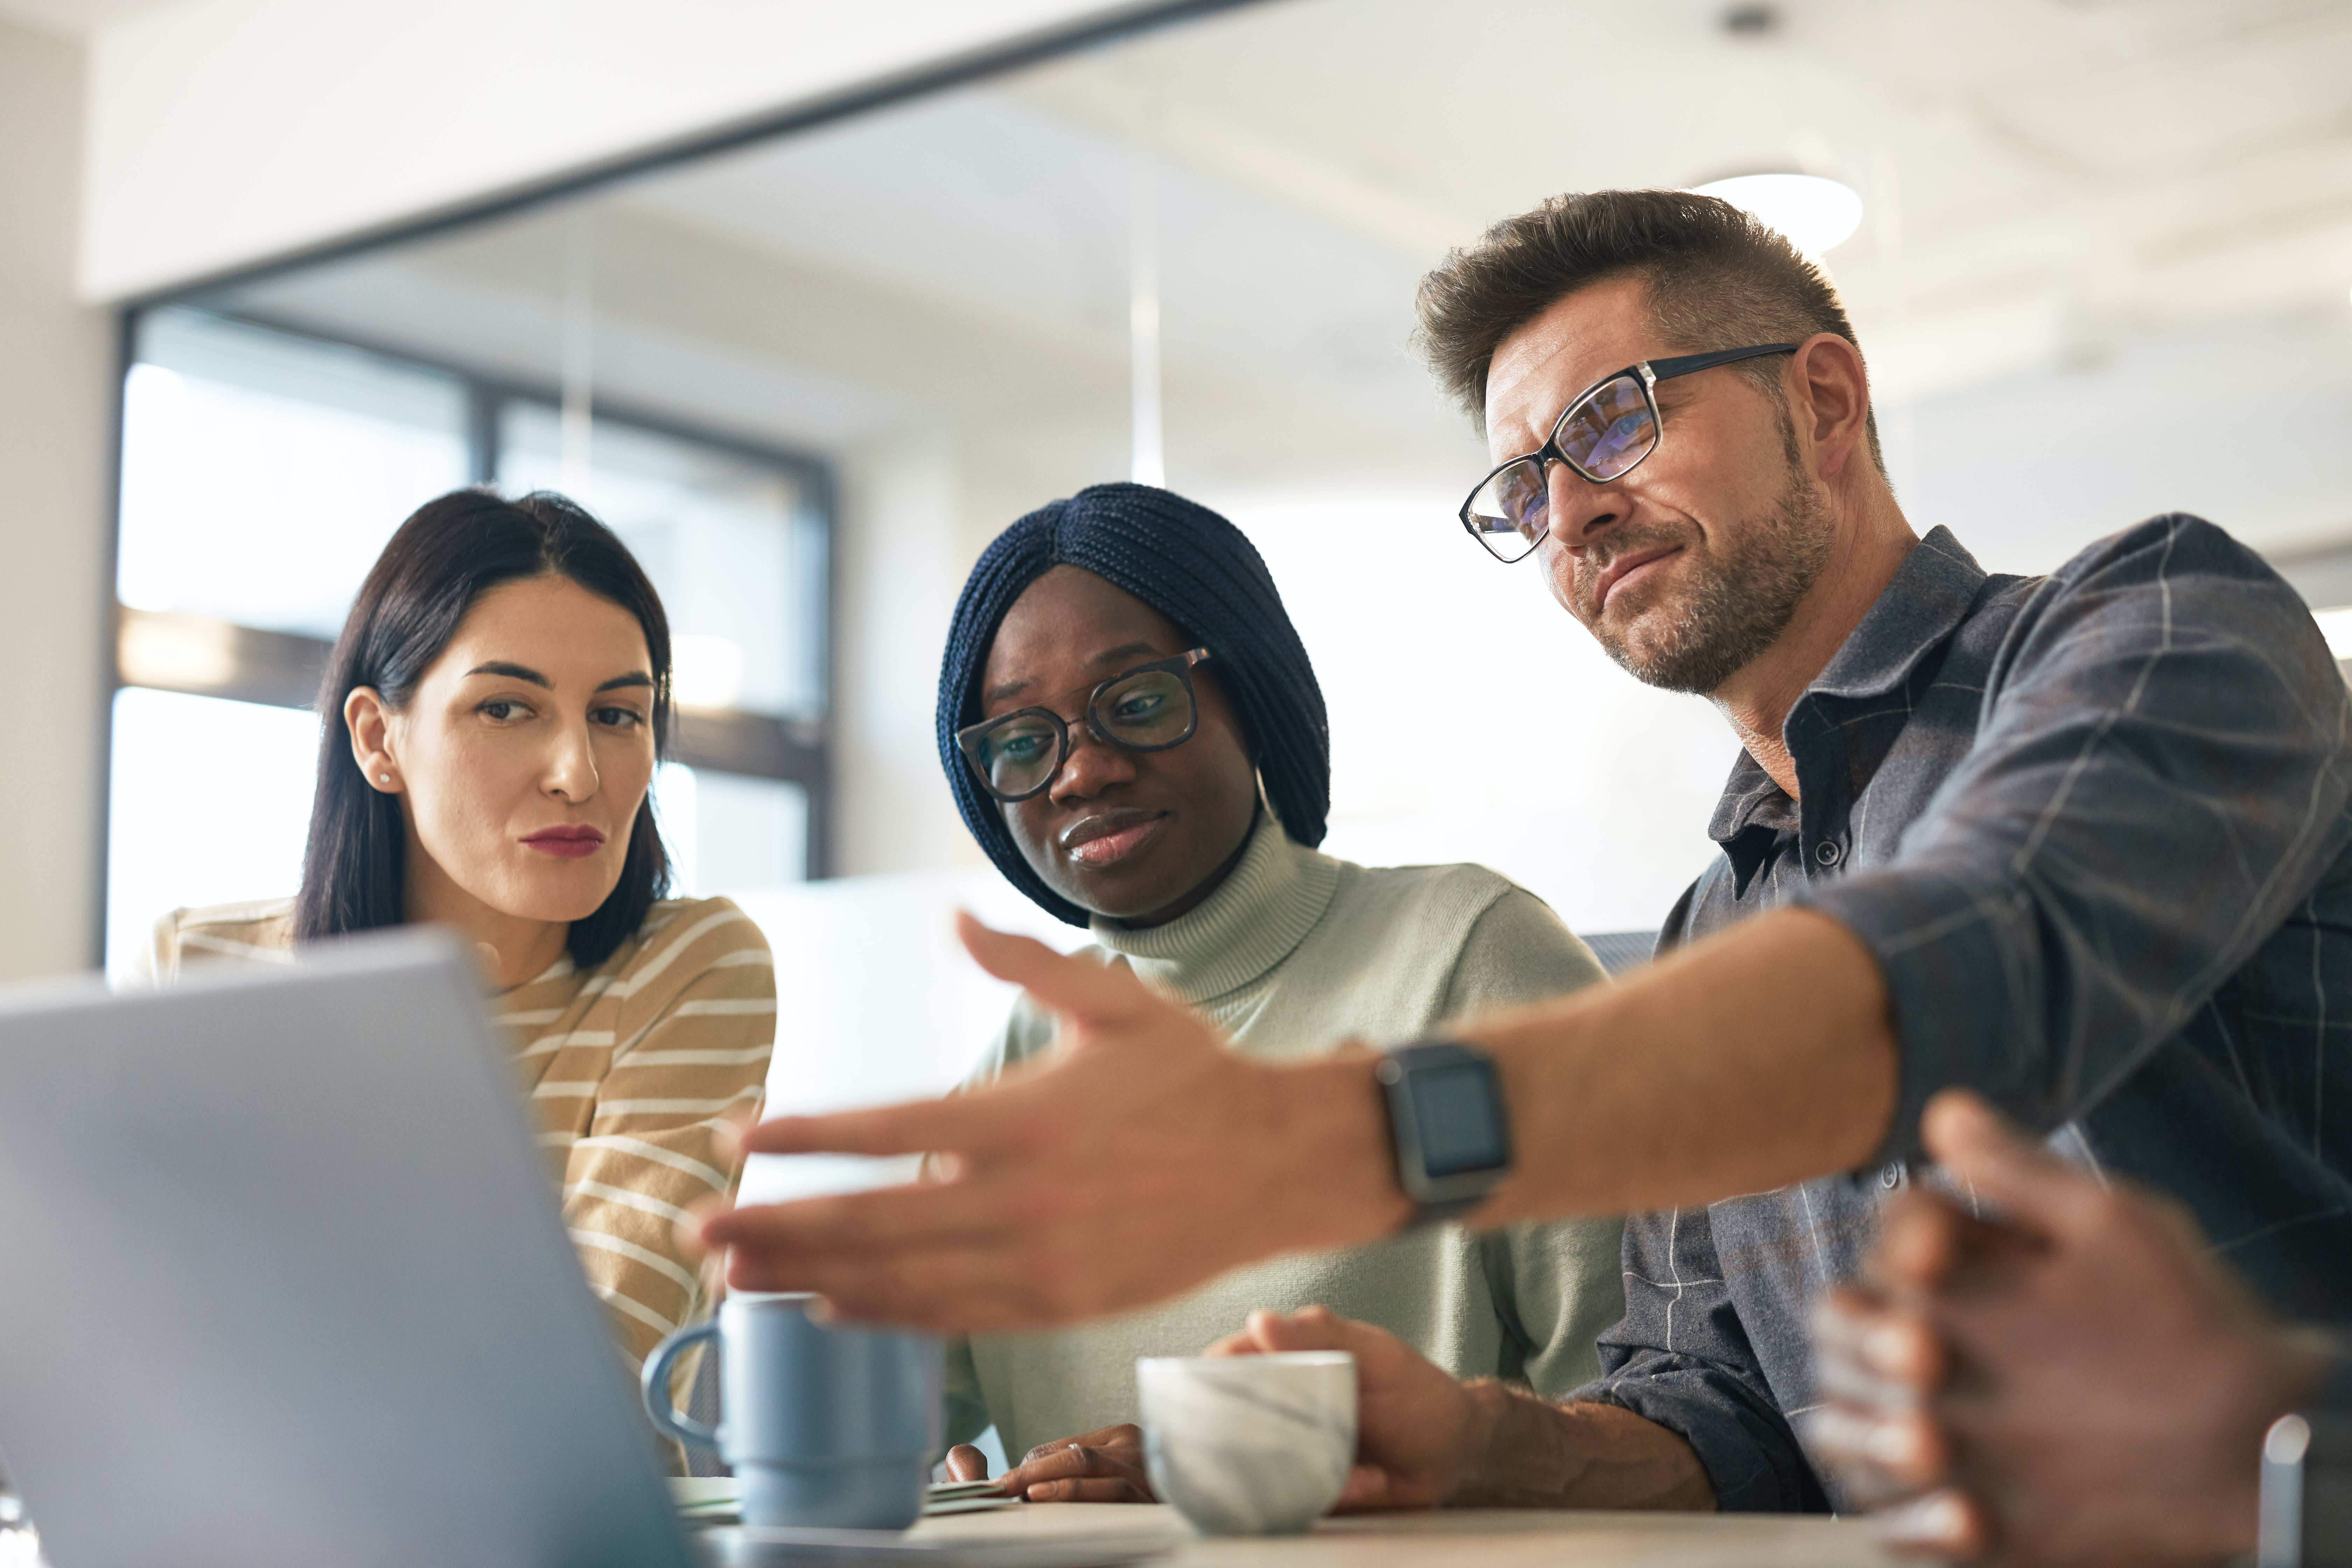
point(1589, 1456)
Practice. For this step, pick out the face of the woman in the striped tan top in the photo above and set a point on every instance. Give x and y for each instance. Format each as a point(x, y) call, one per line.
point(523, 756)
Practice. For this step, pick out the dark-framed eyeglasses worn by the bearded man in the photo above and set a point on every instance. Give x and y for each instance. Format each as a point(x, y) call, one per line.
point(1603, 436)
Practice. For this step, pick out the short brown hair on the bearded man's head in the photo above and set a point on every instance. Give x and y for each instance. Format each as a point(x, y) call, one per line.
point(1716, 281)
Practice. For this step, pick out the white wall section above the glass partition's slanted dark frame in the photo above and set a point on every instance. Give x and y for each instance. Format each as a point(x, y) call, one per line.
point(234, 130)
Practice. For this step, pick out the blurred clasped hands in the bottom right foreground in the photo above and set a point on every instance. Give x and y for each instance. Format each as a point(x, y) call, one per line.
point(2071, 1383)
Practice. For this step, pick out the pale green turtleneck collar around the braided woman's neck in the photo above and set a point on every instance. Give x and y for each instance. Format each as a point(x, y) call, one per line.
point(1255, 920)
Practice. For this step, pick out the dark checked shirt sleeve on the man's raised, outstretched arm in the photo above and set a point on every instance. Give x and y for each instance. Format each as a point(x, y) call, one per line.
point(2158, 782)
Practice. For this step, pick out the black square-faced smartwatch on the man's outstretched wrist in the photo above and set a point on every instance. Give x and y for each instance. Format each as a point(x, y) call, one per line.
point(1448, 1127)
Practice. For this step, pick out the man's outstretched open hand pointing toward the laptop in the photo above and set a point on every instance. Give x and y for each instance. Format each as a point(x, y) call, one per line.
point(1128, 1167)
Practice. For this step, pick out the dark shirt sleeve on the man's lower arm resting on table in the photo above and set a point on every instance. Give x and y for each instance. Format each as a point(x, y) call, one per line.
point(1683, 1362)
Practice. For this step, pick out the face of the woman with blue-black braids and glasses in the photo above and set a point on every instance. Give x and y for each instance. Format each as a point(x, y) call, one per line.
point(1132, 836)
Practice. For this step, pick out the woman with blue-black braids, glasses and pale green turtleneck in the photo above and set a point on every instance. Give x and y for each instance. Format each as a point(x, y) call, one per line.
point(1137, 739)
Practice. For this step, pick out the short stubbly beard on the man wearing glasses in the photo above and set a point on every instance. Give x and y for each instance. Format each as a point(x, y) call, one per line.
point(1737, 603)
